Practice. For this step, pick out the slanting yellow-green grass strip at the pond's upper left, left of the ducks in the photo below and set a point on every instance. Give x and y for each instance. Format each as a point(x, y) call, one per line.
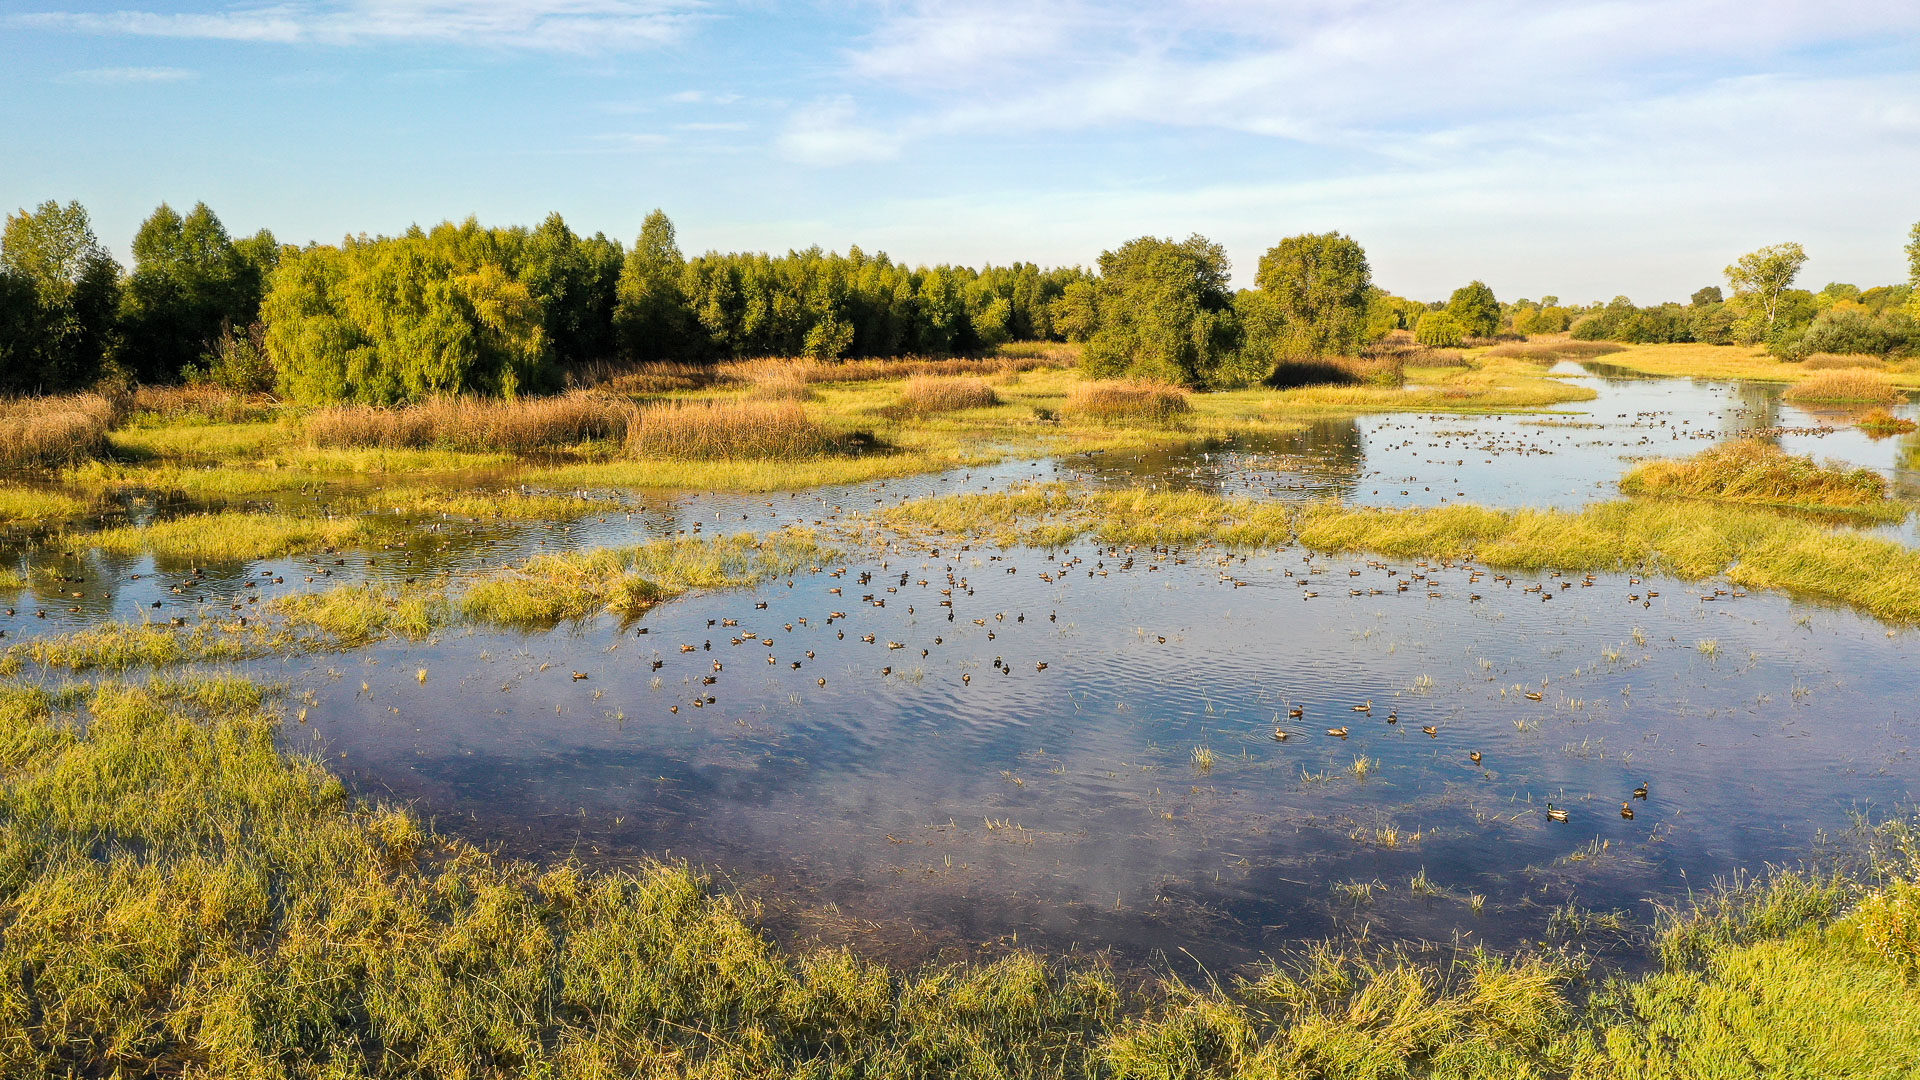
point(627, 581)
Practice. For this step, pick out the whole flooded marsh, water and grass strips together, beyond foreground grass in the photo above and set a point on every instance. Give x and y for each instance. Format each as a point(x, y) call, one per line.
point(1151, 699)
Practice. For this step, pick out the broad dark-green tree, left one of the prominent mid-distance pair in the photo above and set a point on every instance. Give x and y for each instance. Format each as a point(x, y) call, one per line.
point(1166, 312)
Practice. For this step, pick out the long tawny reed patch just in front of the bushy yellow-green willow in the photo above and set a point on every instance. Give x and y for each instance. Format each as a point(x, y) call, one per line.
point(475, 424)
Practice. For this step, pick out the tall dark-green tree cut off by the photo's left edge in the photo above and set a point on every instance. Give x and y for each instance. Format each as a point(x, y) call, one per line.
point(59, 301)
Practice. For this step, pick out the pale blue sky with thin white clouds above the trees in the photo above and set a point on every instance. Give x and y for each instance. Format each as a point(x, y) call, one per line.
point(1579, 149)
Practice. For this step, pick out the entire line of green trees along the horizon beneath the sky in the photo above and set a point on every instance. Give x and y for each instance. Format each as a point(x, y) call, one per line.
point(464, 308)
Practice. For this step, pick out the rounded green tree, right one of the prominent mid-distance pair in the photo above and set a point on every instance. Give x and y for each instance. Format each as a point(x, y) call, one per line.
point(1316, 295)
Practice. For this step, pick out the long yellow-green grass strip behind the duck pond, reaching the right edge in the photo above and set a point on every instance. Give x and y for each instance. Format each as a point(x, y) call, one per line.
point(1691, 541)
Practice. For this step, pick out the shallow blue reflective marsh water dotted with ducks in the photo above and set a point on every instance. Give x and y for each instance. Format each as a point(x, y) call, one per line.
point(971, 798)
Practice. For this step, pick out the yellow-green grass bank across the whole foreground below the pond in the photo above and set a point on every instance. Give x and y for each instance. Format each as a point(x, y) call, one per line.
point(185, 898)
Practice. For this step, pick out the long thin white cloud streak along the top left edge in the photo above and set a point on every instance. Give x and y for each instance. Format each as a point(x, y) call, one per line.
point(550, 26)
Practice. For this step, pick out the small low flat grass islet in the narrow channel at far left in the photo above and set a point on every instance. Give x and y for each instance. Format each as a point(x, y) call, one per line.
point(228, 537)
